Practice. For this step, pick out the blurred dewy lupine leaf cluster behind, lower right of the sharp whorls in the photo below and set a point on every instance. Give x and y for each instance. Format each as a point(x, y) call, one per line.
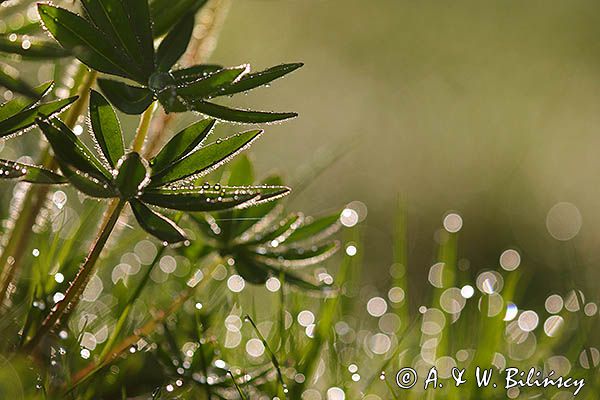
point(264, 244)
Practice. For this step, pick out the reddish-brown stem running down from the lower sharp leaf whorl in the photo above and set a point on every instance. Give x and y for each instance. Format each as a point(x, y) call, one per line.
point(83, 275)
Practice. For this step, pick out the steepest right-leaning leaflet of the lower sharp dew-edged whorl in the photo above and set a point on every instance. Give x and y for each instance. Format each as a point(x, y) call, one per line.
point(182, 144)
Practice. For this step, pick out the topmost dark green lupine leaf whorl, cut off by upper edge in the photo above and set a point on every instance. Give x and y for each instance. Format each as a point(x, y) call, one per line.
point(115, 37)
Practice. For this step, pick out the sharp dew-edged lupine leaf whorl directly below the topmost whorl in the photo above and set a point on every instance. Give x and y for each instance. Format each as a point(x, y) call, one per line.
point(159, 181)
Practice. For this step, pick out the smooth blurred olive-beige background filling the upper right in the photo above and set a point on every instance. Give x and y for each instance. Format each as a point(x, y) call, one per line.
point(487, 109)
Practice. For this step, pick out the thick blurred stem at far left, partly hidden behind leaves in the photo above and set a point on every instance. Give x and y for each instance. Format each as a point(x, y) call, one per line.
point(11, 257)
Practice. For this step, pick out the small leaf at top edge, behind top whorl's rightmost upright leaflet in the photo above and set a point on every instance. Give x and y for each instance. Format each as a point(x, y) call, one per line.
point(167, 13)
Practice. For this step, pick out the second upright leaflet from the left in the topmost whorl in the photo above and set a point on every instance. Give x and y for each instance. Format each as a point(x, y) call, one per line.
point(111, 17)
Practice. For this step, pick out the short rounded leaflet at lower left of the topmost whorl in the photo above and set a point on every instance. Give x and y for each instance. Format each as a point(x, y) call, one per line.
point(131, 100)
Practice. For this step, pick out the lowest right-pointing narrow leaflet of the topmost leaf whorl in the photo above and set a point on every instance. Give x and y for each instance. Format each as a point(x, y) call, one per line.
point(237, 115)
